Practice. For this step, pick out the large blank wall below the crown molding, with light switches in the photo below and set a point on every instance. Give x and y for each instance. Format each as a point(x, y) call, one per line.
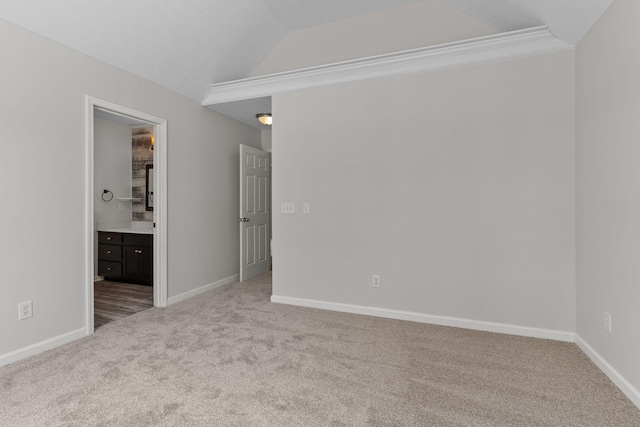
point(457, 187)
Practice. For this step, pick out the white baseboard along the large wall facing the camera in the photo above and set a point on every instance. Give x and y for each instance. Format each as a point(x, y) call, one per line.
point(433, 320)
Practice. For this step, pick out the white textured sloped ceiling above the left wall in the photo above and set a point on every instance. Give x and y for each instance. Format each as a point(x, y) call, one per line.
point(182, 45)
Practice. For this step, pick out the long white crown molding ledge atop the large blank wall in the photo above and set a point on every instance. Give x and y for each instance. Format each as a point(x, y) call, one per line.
point(493, 48)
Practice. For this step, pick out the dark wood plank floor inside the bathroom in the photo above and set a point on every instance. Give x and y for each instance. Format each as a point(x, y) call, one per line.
point(114, 301)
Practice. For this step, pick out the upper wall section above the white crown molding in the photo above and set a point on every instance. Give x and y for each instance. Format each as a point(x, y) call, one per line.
point(425, 23)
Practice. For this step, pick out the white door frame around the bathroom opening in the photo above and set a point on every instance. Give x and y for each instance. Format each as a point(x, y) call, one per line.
point(160, 286)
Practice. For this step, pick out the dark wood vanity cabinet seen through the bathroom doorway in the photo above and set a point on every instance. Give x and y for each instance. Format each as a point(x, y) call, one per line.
point(126, 257)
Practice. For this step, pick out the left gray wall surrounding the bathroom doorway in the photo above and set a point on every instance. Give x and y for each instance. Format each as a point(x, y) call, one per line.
point(42, 183)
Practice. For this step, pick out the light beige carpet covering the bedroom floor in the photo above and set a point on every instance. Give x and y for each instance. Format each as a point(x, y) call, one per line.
point(230, 357)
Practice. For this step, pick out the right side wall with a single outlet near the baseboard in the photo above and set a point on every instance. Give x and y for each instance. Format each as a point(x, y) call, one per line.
point(608, 188)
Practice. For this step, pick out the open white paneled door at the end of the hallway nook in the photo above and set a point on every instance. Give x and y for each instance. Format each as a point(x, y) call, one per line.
point(254, 212)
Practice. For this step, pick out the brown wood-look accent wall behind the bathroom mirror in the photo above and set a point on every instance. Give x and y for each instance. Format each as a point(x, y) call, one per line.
point(141, 156)
